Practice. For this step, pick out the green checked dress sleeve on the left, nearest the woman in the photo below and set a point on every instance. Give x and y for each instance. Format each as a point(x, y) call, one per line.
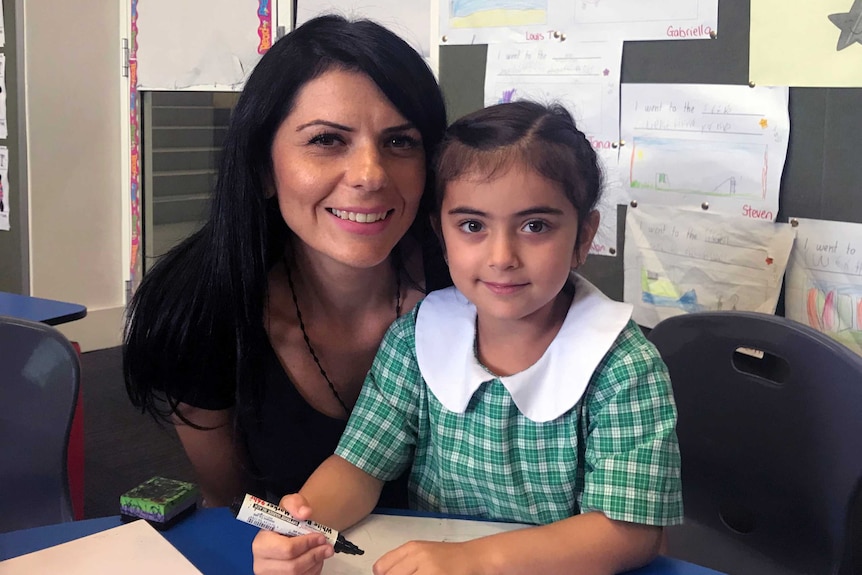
point(380, 437)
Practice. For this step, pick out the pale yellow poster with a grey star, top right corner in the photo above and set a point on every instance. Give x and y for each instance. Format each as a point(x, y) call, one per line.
point(805, 43)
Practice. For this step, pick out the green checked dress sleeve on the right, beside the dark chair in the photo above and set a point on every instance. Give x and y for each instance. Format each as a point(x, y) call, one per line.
point(632, 455)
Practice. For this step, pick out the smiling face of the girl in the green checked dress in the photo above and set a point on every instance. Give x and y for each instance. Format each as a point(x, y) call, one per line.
point(511, 242)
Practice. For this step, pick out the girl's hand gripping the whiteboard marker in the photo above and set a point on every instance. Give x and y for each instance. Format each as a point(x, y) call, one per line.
point(276, 554)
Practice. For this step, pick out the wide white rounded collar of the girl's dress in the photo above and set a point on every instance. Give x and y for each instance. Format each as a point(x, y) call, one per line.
point(445, 336)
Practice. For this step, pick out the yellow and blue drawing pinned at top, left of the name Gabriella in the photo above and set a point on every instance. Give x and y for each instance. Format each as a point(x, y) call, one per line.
point(497, 13)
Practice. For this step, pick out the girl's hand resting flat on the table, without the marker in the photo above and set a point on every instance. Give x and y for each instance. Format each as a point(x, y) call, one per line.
point(429, 558)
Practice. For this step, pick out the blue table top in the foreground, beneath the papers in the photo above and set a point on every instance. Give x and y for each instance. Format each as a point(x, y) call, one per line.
point(218, 544)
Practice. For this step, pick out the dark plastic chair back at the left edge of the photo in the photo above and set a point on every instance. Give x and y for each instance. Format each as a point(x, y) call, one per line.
point(39, 379)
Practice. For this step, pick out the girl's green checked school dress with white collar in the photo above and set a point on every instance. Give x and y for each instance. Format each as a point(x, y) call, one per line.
point(589, 427)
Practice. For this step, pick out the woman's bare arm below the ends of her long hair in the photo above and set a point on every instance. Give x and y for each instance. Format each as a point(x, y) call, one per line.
point(213, 452)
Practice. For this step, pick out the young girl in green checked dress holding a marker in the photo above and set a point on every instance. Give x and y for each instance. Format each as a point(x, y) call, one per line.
point(520, 394)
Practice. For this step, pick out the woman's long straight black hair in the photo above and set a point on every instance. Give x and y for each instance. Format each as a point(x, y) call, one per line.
point(196, 320)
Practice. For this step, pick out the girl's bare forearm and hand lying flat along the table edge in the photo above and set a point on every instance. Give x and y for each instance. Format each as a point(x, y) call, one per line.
point(587, 544)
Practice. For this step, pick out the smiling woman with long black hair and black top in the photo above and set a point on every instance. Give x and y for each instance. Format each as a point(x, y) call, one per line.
point(255, 334)
